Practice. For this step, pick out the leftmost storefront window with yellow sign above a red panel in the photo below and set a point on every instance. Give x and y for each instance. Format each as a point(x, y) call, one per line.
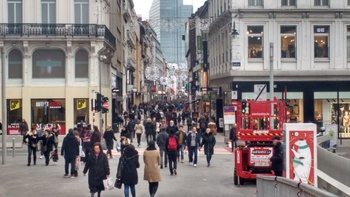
point(14, 116)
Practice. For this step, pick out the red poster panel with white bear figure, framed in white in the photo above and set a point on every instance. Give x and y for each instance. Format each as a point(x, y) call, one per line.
point(301, 155)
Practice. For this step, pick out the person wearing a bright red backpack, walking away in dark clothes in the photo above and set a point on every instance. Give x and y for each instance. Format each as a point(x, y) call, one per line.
point(172, 145)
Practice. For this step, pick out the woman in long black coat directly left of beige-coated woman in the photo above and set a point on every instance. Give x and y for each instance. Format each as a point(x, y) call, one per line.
point(127, 169)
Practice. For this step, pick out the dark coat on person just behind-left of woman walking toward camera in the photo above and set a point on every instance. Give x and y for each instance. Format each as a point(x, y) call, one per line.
point(70, 146)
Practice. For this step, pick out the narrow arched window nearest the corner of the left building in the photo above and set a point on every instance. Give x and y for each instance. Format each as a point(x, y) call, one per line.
point(81, 64)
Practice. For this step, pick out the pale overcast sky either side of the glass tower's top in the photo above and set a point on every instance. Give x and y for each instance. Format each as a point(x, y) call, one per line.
point(142, 6)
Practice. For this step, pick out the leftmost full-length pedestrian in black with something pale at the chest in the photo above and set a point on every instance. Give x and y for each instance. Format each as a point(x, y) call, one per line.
point(31, 140)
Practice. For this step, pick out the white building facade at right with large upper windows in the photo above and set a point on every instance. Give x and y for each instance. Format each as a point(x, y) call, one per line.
point(305, 41)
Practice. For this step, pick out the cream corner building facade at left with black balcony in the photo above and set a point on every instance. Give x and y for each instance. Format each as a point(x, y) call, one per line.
point(53, 52)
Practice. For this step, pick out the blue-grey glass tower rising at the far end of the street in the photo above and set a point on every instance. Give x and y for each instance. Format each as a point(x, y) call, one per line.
point(168, 18)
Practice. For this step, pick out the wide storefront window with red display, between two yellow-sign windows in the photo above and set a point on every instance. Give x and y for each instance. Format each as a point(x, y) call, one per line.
point(49, 111)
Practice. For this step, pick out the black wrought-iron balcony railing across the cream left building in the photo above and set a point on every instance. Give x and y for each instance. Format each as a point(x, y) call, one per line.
point(56, 30)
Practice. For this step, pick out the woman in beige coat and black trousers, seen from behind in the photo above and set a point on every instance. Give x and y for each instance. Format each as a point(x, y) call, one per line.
point(151, 159)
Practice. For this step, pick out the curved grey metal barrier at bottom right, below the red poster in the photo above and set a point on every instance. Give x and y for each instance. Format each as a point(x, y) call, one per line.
point(268, 186)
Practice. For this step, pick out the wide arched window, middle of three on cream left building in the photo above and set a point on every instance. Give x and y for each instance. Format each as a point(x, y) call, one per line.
point(48, 64)
